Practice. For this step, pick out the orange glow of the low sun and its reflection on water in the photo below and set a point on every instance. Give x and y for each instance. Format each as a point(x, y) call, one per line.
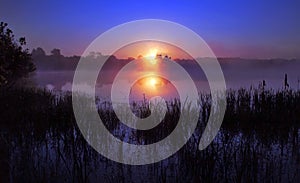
point(150, 57)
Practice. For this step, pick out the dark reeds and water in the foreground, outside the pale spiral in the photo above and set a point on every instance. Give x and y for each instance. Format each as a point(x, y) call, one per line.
point(259, 141)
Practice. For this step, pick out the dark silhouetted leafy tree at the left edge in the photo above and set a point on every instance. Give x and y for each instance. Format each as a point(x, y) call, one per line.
point(15, 62)
